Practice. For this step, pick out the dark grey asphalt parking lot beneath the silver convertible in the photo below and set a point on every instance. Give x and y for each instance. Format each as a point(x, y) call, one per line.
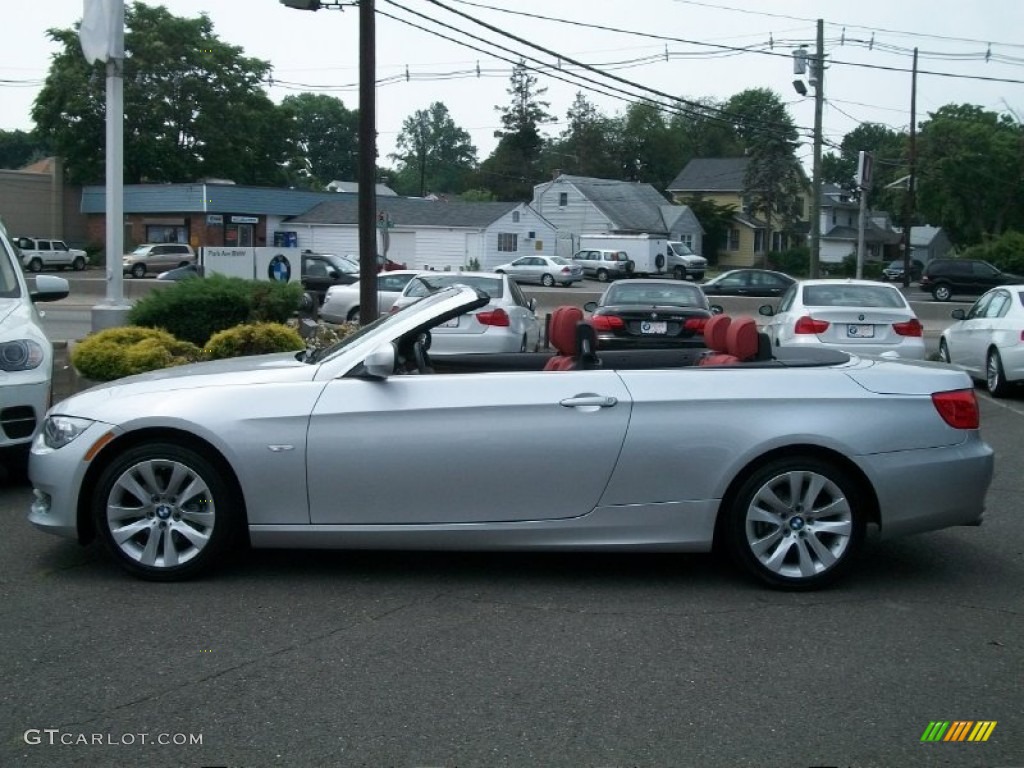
point(342, 659)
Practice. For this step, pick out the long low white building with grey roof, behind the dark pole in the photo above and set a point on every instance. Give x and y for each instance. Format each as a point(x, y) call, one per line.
point(431, 235)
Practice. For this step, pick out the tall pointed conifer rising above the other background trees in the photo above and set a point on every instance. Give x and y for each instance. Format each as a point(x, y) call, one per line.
point(514, 168)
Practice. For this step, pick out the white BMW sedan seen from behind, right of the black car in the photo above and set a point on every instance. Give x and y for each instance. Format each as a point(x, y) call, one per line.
point(856, 316)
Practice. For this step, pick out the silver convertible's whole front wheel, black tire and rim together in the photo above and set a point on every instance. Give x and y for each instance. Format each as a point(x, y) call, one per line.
point(211, 518)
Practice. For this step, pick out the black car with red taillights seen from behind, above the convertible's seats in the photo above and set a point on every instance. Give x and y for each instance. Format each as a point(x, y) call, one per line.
point(649, 314)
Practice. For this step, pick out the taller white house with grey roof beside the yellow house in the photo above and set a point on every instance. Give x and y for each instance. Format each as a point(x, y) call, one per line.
point(581, 205)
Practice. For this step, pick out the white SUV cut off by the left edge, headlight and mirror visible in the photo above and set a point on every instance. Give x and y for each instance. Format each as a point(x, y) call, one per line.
point(26, 354)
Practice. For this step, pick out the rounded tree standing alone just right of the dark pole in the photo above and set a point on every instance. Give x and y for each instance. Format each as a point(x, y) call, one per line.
point(434, 153)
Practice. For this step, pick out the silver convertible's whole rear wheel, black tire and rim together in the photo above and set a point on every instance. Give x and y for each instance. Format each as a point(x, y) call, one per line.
point(793, 548)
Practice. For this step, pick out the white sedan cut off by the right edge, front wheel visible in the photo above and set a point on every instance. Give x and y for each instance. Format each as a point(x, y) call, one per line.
point(988, 342)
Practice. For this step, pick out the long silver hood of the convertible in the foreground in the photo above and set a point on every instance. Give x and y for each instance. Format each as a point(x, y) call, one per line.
point(264, 369)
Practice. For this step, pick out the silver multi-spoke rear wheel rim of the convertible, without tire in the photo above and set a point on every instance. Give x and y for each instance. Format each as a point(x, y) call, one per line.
point(799, 525)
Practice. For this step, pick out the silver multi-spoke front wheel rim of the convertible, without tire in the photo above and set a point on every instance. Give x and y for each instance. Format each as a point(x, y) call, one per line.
point(161, 514)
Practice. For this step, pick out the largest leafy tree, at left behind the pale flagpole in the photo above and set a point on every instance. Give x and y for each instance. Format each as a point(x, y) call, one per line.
point(194, 106)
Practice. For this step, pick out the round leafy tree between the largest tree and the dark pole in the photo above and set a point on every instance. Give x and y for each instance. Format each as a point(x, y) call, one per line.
point(325, 140)
